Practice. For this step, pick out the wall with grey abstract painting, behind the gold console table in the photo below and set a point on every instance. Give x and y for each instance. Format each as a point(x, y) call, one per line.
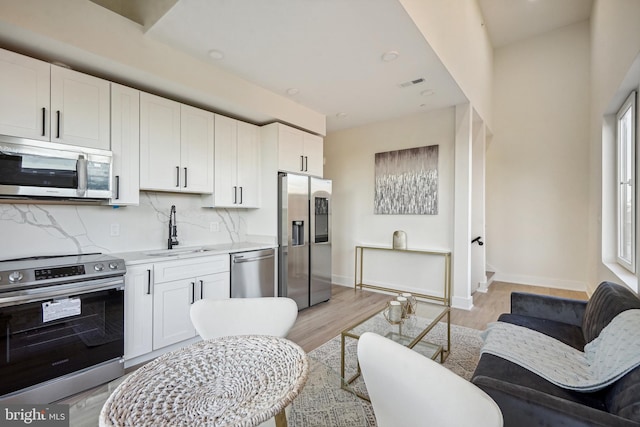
point(350, 164)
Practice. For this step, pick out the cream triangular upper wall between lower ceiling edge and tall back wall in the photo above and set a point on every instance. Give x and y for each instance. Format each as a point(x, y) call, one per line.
point(455, 31)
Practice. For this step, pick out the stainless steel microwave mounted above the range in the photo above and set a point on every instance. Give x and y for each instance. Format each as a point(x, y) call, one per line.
point(39, 169)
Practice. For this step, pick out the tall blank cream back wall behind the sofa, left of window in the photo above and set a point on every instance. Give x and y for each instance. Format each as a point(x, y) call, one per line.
point(538, 161)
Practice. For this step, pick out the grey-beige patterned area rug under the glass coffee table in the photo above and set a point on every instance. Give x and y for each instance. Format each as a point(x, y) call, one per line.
point(323, 403)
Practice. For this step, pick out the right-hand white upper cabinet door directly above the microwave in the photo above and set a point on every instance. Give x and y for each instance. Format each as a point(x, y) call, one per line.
point(80, 109)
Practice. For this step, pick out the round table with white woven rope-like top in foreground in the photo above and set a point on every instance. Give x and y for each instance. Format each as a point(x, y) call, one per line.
point(228, 381)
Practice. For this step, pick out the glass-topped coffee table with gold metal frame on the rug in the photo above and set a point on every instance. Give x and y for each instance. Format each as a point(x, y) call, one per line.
point(409, 333)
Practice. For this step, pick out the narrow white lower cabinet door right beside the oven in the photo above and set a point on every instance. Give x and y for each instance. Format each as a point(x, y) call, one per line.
point(138, 314)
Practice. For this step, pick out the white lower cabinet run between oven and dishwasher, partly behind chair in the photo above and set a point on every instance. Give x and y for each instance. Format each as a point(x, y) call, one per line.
point(158, 300)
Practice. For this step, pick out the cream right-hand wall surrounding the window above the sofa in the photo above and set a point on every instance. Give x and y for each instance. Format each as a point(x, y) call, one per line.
point(615, 44)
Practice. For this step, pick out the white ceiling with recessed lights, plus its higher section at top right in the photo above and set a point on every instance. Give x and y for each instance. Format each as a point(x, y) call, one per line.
point(330, 51)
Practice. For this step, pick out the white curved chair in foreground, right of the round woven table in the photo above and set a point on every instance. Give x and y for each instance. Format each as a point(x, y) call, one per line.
point(408, 389)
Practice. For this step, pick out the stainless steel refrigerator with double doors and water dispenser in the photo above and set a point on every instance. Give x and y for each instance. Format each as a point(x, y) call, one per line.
point(304, 238)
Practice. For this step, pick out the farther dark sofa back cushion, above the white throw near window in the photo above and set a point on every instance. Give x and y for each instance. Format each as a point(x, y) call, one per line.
point(608, 300)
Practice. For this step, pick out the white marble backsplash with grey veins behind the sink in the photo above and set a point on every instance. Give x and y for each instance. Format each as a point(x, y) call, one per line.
point(44, 229)
